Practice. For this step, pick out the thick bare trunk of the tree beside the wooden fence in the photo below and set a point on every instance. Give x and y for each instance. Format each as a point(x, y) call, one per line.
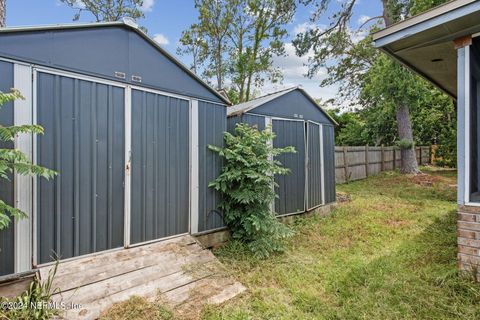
point(404, 126)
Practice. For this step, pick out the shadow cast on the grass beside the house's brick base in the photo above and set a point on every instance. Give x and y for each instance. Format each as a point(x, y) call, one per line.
point(418, 281)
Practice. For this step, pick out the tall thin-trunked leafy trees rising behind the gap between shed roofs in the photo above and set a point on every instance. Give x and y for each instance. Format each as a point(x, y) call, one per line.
point(234, 41)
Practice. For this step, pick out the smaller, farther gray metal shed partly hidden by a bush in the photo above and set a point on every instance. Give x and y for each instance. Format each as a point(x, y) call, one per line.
point(298, 121)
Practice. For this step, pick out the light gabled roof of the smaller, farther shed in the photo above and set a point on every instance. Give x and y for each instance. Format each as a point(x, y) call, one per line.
point(257, 102)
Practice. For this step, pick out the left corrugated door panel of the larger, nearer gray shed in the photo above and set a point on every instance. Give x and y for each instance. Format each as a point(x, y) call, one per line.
point(80, 211)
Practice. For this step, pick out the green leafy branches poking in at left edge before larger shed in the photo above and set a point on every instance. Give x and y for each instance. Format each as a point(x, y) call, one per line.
point(12, 160)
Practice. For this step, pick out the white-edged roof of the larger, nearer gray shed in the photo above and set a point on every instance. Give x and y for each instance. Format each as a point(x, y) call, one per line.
point(126, 24)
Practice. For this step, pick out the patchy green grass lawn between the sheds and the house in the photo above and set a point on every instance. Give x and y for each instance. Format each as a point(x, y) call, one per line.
point(389, 253)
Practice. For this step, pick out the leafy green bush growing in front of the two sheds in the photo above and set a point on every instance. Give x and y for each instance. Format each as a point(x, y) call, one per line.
point(247, 187)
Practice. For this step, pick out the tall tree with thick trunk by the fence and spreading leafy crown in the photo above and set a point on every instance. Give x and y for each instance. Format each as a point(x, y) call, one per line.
point(358, 66)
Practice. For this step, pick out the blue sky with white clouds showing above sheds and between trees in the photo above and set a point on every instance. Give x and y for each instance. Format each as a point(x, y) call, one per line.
point(165, 20)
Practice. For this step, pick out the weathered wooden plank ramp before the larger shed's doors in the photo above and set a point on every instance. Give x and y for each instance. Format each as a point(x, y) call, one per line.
point(178, 271)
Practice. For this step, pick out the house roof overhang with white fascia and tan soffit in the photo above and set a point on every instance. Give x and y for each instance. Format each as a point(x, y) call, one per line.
point(425, 44)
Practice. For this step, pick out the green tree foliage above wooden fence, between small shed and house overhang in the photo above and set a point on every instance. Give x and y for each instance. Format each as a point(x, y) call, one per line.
point(370, 82)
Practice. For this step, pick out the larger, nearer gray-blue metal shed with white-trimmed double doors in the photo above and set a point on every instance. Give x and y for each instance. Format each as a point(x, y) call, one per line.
point(126, 126)
